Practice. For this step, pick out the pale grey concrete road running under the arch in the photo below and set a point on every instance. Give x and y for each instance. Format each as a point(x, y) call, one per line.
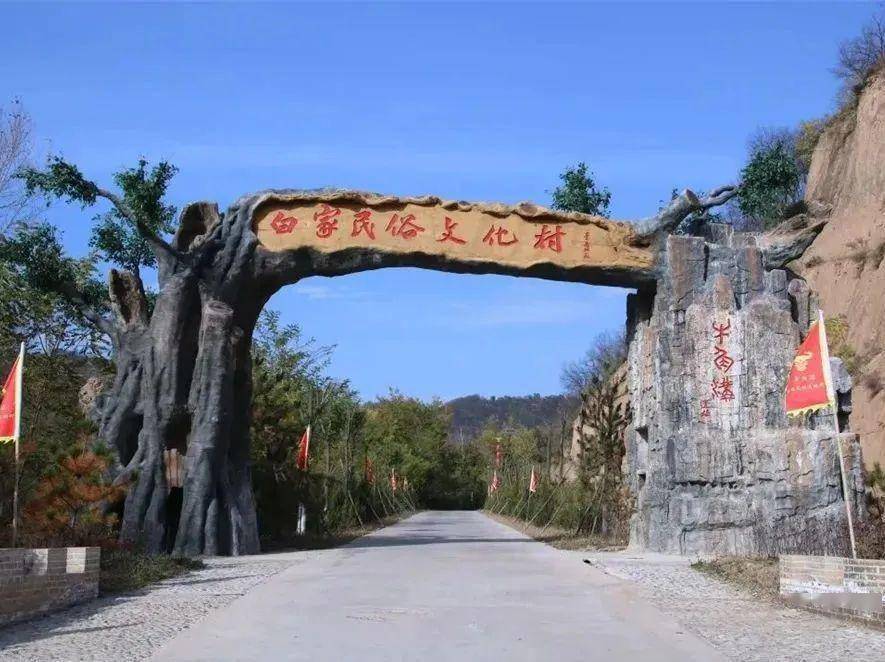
point(440, 586)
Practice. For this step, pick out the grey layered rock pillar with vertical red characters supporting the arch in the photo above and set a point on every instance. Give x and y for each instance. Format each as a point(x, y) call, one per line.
point(713, 462)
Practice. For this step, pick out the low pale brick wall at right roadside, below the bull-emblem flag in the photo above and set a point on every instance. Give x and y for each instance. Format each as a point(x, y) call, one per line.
point(853, 588)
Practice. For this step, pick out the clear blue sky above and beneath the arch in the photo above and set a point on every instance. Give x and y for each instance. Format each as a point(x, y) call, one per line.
point(466, 101)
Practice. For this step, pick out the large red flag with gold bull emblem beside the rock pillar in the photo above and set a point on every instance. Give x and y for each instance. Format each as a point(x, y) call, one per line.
point(810, 385)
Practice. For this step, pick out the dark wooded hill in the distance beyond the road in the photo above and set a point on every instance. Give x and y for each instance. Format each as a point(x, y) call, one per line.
point(471, 413)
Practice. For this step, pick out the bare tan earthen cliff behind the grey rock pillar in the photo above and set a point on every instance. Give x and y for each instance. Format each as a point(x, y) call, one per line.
point(845, 264)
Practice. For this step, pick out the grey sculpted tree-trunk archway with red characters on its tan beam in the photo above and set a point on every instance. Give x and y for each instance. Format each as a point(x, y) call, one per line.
point(184, 371)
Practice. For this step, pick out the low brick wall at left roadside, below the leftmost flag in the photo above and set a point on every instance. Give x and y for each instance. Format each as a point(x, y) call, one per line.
point(34, 581)
